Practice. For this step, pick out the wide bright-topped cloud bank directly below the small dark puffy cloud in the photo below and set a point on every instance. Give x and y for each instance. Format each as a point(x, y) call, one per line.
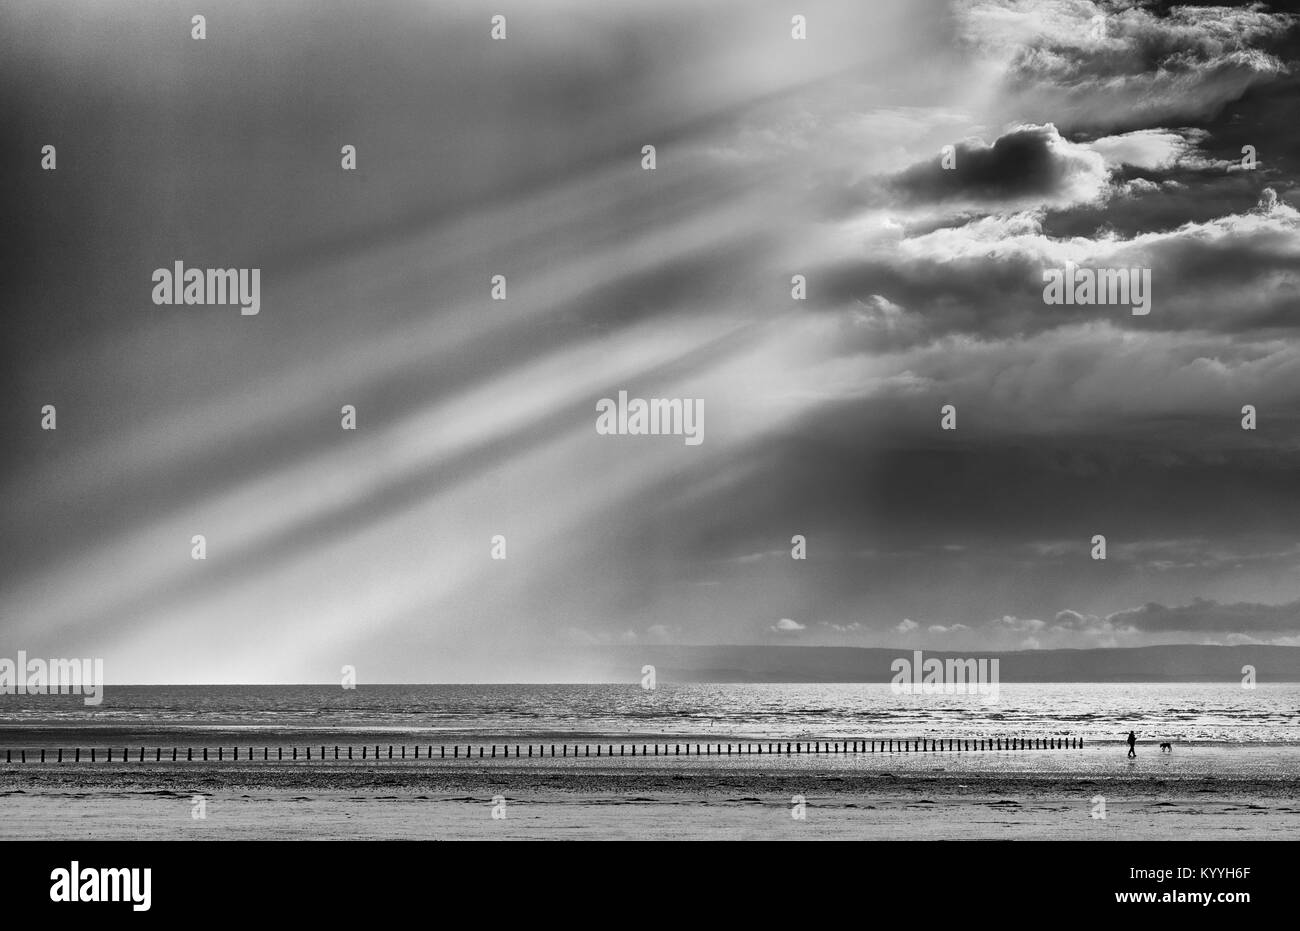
point(1234, 274)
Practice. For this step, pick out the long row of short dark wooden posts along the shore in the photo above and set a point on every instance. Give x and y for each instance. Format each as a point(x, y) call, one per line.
point(912, 746)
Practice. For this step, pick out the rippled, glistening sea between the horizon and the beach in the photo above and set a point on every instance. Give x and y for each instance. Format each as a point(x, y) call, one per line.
point(1191, 713)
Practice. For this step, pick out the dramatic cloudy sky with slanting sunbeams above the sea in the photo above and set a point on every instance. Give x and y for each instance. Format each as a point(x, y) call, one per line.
point(1102, 135)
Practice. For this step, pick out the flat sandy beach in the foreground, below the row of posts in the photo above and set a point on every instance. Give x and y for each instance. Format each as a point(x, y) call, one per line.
point(1197, 793)
